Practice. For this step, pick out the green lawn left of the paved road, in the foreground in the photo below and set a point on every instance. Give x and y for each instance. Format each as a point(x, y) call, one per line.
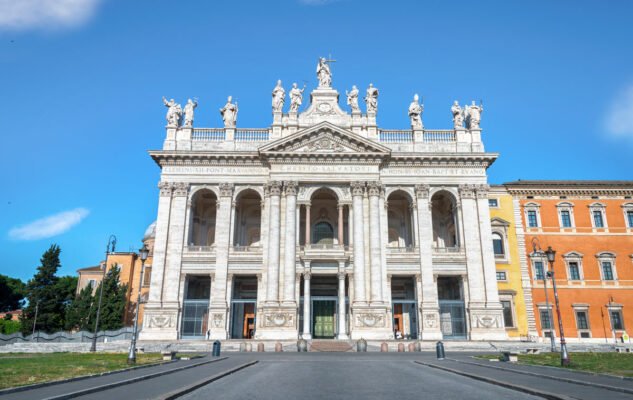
point(19, 369)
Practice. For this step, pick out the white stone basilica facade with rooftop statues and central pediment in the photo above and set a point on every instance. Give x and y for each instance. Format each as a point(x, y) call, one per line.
point(323, 225)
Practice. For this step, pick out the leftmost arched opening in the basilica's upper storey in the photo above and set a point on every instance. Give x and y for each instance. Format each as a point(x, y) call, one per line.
point(203, 212)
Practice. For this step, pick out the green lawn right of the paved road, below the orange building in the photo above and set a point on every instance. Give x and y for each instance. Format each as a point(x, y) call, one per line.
point(620, 364)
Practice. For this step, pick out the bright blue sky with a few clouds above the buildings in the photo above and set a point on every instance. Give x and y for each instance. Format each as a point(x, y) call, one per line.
point(82, 82)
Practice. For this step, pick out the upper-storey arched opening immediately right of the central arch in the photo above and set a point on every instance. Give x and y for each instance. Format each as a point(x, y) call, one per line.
point(400, 220)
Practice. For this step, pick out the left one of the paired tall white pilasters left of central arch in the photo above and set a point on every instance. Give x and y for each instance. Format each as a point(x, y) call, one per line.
point(272, 292)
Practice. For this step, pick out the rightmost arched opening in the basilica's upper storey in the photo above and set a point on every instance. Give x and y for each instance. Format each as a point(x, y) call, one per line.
point(444, 221)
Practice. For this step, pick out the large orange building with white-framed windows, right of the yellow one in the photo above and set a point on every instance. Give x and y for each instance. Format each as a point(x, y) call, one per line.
point(590, 226)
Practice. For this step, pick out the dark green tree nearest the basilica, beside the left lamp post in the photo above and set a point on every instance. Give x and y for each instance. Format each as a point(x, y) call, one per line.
point(112, 304)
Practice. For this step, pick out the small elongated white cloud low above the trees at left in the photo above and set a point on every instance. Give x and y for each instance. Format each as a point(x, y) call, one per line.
point(49, 226)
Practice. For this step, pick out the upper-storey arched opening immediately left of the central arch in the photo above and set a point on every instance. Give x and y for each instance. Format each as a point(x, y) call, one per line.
point(248, 217)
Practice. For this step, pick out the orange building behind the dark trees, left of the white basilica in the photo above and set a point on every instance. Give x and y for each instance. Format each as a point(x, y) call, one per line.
point(130, 265)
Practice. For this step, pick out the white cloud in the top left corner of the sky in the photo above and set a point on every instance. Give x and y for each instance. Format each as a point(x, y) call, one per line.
point(45, 14)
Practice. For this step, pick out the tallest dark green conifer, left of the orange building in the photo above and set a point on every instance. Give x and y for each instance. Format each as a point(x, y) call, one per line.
point(42, 295)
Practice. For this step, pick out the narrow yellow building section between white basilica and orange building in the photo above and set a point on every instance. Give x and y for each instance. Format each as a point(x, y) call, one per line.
point(513, 277)
